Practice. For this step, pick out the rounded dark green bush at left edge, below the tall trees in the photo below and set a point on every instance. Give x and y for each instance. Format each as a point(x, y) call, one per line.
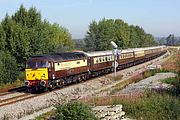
point(8, 68)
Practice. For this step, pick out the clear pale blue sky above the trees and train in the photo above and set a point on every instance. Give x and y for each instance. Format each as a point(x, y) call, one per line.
point(157, 17)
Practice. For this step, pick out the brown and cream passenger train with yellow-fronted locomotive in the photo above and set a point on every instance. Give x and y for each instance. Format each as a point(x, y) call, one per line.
point(49, 71)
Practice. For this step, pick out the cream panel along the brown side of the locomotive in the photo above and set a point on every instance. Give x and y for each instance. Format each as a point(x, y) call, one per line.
point(70, 64)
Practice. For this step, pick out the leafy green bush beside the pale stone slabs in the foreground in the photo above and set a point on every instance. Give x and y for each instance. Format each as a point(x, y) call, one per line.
point(75, 111)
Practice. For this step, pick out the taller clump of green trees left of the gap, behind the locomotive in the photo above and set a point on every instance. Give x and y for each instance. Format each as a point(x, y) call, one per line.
point(25, 34)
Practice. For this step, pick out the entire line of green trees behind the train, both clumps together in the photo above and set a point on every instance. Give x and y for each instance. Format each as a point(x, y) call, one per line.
point(25, 34)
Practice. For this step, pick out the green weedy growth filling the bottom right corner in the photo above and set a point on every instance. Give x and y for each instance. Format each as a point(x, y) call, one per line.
point(154, 107)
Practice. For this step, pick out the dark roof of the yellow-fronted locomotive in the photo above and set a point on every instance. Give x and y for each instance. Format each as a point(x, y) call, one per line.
point(61, 56)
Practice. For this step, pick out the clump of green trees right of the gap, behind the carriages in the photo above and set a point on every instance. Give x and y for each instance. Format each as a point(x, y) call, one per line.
point(101, 33)
